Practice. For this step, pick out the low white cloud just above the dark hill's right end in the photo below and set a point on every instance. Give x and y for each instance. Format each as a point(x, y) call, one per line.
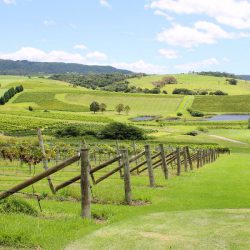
point(141, 67)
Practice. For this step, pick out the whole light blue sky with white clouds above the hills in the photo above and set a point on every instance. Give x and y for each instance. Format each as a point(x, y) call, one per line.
point(152, 36)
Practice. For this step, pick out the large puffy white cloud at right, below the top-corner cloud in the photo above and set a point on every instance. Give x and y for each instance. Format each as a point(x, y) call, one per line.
point(201, 33)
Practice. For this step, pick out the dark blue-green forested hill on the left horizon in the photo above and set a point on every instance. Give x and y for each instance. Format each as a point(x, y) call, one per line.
point(9, 67)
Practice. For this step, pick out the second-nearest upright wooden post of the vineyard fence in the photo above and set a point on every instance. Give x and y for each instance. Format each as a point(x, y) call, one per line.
point(127, 183)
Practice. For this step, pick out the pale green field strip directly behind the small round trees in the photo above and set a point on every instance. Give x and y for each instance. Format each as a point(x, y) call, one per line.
point(140, 104)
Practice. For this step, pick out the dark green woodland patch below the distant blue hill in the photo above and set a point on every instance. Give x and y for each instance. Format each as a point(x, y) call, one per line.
point(97, 81)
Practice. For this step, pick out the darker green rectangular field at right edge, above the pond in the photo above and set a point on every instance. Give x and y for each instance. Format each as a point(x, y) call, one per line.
point(222, 104)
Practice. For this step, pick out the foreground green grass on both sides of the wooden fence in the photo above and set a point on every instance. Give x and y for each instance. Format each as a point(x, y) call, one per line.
point(205, 207)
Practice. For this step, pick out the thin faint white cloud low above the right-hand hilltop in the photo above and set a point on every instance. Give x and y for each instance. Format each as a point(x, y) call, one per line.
point(202, 65)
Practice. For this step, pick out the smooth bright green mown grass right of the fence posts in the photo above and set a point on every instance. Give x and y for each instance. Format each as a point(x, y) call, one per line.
point(208, 209)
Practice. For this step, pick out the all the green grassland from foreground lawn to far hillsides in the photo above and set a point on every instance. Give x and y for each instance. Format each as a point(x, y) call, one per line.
point(208, 208)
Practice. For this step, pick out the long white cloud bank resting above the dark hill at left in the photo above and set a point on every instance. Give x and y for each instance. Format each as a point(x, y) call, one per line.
point(33, 54)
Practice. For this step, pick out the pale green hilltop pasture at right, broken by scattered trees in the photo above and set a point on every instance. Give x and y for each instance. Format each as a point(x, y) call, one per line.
point(195, 82)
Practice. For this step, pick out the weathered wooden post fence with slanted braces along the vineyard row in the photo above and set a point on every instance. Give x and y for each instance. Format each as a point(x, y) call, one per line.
point(183, 158)
